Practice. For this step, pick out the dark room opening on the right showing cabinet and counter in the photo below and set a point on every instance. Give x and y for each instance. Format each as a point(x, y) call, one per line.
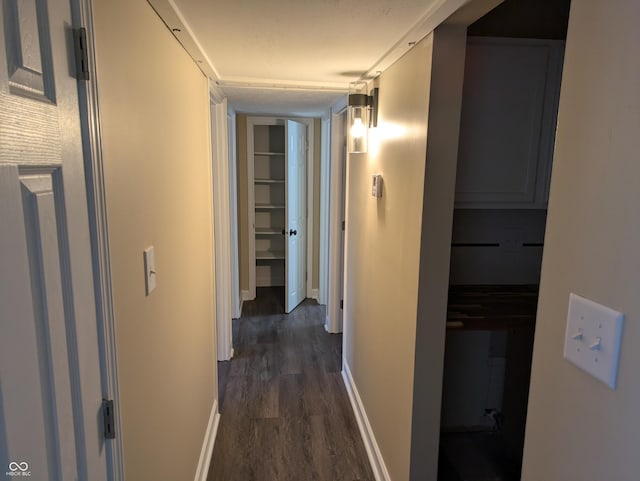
point(510, 97)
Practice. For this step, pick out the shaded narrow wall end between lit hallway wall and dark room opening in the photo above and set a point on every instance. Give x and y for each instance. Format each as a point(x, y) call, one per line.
point(447, 75)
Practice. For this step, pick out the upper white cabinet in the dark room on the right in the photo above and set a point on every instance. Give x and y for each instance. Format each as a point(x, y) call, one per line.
point(507, 128)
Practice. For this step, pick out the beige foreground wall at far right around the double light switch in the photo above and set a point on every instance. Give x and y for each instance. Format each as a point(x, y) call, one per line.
point(578, 428)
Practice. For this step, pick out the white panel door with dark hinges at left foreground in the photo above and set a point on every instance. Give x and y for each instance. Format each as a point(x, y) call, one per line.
point(50, 384)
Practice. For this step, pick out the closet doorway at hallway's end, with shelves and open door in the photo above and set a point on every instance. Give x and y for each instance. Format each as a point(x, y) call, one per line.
point(276, 186)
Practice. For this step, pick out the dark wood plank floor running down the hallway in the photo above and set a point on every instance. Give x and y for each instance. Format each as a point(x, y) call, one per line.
point(285, 414)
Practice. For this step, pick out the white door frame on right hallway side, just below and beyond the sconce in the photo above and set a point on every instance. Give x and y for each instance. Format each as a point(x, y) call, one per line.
point(333, 322)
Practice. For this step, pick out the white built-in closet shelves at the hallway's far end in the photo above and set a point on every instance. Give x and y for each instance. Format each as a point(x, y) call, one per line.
point(267, 165)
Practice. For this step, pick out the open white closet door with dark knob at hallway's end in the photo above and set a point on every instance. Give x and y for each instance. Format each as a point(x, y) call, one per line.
point(296, 208)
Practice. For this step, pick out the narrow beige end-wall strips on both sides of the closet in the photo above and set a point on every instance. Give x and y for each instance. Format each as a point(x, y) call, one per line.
point(243, 212)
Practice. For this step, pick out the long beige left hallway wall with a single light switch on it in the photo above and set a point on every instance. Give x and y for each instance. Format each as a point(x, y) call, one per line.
point(155, 123)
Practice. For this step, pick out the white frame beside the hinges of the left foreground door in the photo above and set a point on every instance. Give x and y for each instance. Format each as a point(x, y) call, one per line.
point(99, 230)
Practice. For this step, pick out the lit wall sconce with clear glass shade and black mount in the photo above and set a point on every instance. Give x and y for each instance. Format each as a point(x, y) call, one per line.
point(362, 114)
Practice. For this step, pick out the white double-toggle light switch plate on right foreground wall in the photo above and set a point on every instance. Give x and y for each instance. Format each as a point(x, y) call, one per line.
point(592, 340)
